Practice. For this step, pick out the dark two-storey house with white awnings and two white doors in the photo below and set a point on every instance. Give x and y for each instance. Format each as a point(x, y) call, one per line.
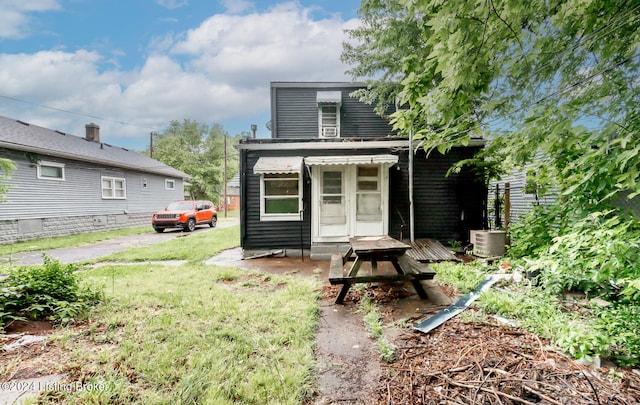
point(333, 169)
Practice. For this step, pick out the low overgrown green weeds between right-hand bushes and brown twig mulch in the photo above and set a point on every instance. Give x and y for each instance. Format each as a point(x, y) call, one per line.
point(577, 326)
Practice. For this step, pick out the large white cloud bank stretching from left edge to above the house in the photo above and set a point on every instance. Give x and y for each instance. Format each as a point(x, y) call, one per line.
point(215, 73)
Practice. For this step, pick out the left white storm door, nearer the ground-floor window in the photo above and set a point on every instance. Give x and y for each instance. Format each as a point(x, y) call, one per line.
point(332, 220)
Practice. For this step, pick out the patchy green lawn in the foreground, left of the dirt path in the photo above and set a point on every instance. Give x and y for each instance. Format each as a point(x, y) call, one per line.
point(192, 333)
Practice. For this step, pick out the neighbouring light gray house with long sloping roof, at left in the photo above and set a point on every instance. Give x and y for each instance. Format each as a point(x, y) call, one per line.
point(65, 184)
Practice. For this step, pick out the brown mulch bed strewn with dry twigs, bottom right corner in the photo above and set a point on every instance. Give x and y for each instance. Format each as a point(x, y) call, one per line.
point(484, 363)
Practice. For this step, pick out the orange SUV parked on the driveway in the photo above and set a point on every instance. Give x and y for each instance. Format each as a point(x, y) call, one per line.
point(185, 215)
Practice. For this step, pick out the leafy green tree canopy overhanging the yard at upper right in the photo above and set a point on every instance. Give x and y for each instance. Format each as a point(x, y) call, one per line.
point(558, 77)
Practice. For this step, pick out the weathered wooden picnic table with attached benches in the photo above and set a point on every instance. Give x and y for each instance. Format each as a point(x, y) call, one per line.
point(376, 249)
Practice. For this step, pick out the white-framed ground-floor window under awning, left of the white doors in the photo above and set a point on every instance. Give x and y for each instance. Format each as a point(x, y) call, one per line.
point(281, 197)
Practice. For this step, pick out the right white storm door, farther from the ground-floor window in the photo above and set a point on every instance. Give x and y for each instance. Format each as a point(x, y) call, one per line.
point(370, 206)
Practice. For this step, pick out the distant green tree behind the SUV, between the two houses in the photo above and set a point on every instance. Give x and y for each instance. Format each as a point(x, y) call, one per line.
point(198, 150)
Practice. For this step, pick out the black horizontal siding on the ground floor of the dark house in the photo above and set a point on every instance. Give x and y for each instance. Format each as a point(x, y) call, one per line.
point(439, 200)
